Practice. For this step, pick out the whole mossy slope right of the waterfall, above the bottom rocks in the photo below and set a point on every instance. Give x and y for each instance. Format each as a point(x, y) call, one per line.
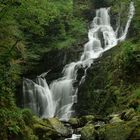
point(110, 85)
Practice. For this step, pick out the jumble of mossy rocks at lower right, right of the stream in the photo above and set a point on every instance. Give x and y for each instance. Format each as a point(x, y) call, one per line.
point(114, 127)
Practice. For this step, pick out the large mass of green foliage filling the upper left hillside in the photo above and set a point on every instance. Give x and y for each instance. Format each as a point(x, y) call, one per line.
point(28, 29)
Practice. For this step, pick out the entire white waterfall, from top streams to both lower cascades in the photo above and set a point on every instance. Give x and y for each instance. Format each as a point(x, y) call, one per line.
point(57, 99)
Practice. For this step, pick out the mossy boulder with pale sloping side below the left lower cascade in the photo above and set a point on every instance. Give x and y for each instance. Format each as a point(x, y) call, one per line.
point(50, 129)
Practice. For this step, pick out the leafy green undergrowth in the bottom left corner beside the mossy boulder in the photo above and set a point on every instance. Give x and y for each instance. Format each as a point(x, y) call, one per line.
point(16, 124)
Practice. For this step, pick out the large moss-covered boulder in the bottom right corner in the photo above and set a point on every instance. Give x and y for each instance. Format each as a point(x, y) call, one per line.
point(120, 131)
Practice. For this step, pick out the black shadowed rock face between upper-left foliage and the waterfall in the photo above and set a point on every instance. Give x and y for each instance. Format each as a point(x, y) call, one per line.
point(54, 61)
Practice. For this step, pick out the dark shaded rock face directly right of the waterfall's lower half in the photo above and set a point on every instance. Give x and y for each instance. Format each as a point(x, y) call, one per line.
point(92, 94)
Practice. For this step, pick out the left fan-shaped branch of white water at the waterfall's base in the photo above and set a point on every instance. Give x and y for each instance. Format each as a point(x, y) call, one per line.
point(36, 99)
